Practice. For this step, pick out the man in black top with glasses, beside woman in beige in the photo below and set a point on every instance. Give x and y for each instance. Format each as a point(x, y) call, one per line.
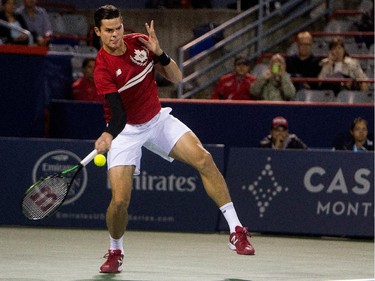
point(304, 63)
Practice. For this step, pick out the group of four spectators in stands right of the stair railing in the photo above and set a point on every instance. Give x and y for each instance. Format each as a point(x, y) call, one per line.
point(275, 83)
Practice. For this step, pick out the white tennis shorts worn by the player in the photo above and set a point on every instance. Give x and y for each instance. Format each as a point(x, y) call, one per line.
point(159, 135)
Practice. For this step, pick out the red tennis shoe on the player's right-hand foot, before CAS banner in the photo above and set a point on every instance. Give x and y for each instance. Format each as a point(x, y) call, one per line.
point(238, 241)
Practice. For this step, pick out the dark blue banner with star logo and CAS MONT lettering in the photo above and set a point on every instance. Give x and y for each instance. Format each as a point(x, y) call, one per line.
point(303, 192)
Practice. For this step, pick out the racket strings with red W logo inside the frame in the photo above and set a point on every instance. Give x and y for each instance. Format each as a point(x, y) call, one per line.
point(44, 197)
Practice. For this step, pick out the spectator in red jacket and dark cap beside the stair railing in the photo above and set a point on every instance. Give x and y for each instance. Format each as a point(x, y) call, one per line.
point(235, 85)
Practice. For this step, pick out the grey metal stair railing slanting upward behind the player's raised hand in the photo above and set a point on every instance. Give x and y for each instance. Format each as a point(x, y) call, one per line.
point(250, 33)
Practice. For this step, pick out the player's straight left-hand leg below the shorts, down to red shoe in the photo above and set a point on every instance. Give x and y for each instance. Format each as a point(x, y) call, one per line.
point(121, 179)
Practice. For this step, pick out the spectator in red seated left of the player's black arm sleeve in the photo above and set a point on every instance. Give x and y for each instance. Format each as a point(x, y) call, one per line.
point(84, 88)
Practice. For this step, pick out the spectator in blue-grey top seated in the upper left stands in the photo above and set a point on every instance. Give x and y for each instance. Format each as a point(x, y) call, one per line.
point(37, 21)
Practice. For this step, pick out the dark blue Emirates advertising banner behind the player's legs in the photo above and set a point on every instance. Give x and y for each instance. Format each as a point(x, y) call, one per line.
point(166, 196)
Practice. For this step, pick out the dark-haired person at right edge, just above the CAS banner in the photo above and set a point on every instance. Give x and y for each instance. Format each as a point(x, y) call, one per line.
point(357, 140)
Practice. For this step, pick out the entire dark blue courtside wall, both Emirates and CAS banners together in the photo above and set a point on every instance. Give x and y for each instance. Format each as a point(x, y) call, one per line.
point(288, 192)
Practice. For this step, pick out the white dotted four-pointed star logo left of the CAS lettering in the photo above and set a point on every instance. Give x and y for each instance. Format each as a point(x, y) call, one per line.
point(265, 195)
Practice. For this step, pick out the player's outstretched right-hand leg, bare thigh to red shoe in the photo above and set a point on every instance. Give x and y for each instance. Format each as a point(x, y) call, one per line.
point(190, 150)
